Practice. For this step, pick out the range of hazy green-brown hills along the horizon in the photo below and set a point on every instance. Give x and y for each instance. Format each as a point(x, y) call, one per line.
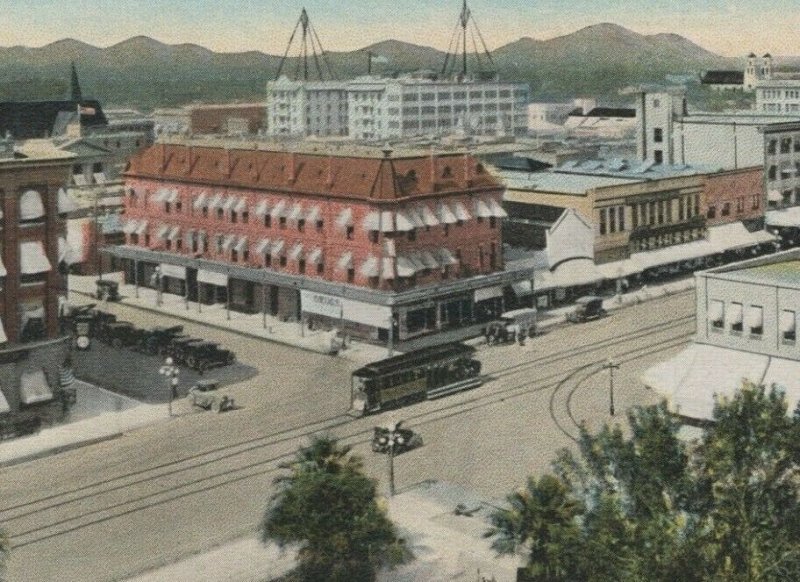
point(145, 73)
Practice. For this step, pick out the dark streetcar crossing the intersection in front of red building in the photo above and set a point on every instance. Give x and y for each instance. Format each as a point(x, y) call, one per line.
point(423, 374)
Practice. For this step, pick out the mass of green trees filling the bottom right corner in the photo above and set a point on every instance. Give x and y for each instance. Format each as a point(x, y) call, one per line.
point(642, 504)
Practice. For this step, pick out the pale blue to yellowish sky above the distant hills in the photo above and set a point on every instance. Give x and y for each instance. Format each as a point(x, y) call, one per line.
point(731, 28)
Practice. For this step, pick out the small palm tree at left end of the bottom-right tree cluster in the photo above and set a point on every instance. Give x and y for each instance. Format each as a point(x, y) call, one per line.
point(540, 517)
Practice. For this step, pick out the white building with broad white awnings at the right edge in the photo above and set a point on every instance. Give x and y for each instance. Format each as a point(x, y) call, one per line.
point(746, 331)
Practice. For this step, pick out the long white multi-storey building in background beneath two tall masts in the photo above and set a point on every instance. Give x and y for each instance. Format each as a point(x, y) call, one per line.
point(372, 108)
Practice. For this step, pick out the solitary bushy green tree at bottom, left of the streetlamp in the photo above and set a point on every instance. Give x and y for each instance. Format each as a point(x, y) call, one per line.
point(328, 507)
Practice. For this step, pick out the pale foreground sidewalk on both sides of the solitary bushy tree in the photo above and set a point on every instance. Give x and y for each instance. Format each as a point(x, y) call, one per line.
point(445, 546)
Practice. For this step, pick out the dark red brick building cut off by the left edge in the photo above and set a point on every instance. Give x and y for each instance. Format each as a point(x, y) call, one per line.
point(33, 249)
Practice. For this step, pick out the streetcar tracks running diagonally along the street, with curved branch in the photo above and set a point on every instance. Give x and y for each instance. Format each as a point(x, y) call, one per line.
point(59, 514)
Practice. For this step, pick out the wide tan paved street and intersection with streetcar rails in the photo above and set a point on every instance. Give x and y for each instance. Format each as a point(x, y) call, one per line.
point(201, 479)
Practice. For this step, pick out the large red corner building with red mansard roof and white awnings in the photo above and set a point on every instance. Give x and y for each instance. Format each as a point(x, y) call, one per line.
point(346, 238)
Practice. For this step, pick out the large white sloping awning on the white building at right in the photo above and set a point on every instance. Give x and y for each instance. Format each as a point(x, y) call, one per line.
point(692, 379)
